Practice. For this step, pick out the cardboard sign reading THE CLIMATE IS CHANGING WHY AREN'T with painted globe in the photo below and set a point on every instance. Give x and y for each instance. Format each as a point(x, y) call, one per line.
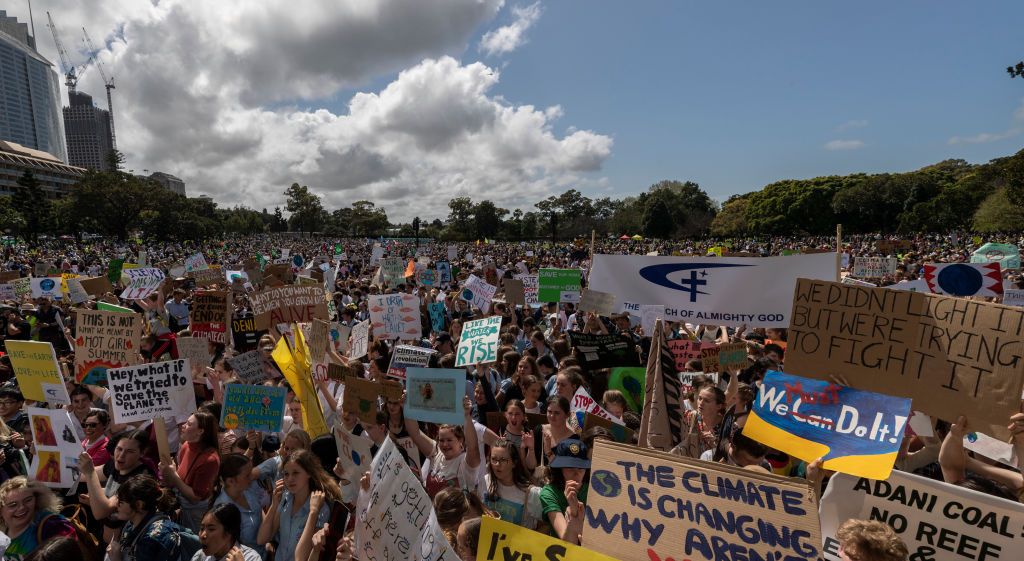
point(646, 505)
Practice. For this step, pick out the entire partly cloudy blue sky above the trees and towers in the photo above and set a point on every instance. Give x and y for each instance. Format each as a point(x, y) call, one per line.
point(410, 104)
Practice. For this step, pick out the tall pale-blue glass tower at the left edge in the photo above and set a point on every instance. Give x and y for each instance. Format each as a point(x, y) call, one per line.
point(30, 95)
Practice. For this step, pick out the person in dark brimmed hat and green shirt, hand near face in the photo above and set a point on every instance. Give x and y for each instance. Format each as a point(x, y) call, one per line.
point(564, 499)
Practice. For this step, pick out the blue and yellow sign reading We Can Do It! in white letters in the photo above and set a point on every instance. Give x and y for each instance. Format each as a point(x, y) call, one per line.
point(858, 433)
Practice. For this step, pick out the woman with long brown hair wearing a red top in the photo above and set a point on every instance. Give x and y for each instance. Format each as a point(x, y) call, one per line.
point(194, 476)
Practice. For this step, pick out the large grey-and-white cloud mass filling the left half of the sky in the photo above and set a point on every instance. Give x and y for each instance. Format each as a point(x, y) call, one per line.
point(230, 97)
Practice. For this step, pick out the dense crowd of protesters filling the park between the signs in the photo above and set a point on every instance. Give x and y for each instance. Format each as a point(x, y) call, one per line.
point(222, 495)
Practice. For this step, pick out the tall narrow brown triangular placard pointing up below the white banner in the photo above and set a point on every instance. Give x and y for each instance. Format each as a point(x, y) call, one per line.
point(661, 423)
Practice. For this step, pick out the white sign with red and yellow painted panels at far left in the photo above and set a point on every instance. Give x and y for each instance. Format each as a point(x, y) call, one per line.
point(57, 448)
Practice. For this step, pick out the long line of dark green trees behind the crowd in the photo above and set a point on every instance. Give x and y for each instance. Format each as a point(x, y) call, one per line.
point(951, 195)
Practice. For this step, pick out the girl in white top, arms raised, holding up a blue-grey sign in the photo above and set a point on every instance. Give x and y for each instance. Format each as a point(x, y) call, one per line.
point(454, 458)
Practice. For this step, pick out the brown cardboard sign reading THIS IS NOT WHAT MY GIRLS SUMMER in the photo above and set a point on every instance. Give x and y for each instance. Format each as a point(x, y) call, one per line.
point(105, 340)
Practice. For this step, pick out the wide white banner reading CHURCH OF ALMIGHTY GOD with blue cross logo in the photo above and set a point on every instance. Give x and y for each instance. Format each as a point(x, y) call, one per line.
point(720, 291)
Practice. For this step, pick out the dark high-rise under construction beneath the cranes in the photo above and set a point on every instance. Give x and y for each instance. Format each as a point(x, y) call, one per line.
point(89, 130)
